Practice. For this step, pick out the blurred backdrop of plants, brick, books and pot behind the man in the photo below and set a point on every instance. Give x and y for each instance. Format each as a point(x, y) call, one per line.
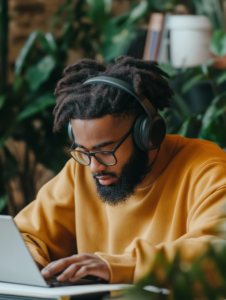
point(38, 38)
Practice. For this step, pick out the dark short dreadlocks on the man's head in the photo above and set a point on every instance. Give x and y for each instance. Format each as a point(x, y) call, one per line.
point(78, 101)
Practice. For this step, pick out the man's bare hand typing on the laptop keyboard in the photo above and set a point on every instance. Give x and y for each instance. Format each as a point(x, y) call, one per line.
point(77, 266)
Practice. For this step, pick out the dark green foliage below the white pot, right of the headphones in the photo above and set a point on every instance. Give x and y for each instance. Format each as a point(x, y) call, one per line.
point(192, 117)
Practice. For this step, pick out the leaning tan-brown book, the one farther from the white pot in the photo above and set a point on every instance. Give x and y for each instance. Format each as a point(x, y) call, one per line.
point(153, 39)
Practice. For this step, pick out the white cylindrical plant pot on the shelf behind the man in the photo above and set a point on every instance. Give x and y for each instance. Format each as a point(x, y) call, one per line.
point(189, 40)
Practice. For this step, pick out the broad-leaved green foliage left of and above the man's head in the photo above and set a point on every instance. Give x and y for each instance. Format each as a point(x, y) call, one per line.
point(26, 105)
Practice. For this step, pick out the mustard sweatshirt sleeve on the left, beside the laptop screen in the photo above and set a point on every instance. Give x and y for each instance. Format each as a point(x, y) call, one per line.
point(48, 223)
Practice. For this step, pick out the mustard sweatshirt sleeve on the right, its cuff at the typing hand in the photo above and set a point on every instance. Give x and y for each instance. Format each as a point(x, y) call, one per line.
point(205, 209)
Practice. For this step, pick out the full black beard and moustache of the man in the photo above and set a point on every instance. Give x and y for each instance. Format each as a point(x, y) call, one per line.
point(132, 173)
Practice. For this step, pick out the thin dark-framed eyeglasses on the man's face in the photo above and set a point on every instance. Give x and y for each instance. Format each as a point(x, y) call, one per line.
point(105, 157)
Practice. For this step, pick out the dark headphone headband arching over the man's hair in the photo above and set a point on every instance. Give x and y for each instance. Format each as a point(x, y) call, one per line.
point(123, 85)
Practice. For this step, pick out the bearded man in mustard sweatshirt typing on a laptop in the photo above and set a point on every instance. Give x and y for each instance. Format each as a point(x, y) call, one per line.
point(115, 205)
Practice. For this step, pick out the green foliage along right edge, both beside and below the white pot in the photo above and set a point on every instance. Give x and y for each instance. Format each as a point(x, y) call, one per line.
point(198, 109)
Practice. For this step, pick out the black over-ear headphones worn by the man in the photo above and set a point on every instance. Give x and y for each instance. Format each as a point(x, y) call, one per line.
point(149, 130)
